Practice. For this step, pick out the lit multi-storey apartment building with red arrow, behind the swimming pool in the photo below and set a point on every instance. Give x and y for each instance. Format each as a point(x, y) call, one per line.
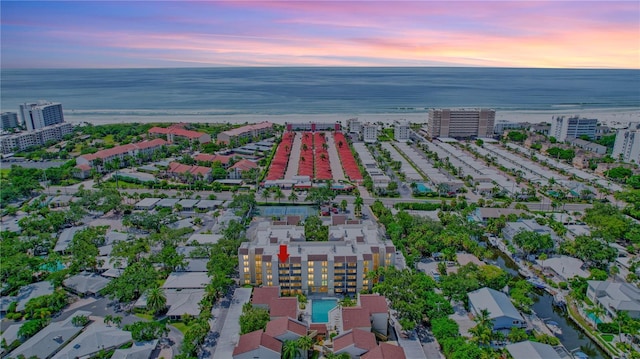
point(337, 266)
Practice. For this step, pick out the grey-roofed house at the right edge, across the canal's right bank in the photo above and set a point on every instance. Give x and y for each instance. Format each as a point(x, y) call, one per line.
point(615, 297)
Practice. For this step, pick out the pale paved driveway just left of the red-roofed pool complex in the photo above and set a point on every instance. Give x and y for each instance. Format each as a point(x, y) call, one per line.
point(229, 335)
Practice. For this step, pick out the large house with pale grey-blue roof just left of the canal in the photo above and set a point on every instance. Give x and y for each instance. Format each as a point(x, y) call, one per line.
point(502, 313)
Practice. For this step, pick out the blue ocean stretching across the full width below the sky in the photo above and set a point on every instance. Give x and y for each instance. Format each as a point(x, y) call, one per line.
point(222, 93)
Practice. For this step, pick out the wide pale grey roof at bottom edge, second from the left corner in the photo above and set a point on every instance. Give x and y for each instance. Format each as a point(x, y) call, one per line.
point(97, 336)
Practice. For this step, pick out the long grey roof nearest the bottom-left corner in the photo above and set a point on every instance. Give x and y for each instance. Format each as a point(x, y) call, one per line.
point(49, 339)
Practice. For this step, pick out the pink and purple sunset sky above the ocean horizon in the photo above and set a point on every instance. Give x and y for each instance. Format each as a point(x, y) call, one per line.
point(118, 34)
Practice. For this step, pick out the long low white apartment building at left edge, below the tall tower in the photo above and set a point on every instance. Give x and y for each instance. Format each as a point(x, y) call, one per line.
point(22, 141)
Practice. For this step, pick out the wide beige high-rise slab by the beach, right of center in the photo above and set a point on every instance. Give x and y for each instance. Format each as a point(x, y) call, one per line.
point(461, 123)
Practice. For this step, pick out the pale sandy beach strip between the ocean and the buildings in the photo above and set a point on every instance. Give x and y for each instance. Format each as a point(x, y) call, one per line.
point(614, 117)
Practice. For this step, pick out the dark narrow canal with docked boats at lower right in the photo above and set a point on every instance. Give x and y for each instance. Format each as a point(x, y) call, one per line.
point(572, 337)
